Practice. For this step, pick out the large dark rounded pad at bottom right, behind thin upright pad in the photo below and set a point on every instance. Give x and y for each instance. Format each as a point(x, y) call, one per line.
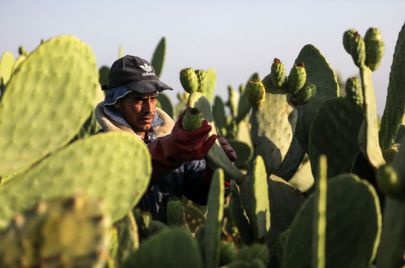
point(350, 225)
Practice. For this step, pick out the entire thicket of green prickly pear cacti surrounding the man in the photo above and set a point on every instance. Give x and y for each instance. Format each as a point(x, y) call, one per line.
point(317, 181)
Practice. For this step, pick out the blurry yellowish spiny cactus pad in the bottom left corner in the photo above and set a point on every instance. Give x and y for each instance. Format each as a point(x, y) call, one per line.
point(69, 232)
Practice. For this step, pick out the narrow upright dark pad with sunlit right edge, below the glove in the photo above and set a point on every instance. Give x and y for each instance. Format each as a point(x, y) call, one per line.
point(215, 213)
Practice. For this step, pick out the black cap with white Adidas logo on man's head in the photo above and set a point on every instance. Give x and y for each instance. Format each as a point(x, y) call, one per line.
point(135, 74)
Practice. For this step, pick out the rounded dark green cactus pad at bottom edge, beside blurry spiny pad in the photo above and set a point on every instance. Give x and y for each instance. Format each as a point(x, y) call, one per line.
point(171, 248)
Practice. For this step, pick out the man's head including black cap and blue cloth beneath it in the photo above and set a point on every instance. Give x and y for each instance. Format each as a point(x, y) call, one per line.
point(132, 89)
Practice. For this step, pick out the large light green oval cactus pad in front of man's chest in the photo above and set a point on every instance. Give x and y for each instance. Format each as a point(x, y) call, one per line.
point(101, 166)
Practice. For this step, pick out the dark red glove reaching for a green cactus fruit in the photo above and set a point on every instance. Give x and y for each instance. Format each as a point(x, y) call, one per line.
point(171, 151)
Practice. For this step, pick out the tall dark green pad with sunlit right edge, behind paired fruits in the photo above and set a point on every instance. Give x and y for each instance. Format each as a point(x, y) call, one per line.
point(319, 73)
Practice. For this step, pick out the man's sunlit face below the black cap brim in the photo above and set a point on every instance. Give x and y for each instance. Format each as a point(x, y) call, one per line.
point(138, 110)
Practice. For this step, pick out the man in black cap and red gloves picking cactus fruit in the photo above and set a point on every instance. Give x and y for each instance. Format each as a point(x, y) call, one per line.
point(177, 155)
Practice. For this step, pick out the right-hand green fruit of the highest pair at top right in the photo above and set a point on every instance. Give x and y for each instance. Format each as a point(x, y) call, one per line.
point(374, 48)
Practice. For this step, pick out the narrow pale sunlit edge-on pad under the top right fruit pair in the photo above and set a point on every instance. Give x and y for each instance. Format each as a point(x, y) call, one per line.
point(368, 136)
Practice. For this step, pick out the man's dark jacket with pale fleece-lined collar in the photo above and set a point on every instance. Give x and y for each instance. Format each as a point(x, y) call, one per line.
point(189, 180)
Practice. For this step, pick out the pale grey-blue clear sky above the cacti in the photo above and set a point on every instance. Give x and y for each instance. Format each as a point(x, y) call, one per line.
point(236, 38)
